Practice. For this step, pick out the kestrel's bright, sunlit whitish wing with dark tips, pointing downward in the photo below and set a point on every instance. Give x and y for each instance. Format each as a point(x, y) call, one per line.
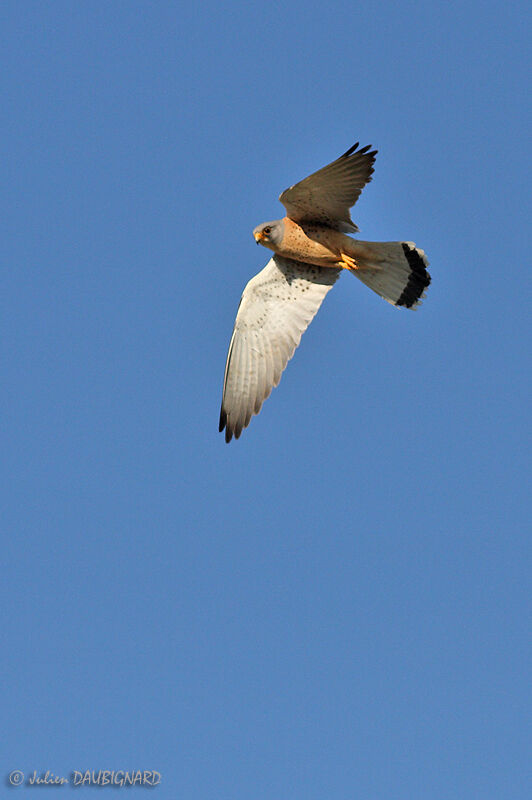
point(275, 310)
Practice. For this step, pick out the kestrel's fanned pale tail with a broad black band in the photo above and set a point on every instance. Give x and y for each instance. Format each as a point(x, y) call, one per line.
point(397, 271)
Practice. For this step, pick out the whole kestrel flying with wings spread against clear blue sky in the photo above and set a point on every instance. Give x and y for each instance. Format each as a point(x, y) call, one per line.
point(311, 247)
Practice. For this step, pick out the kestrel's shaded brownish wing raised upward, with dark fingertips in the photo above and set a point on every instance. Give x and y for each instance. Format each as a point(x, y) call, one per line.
point(328, 194)
